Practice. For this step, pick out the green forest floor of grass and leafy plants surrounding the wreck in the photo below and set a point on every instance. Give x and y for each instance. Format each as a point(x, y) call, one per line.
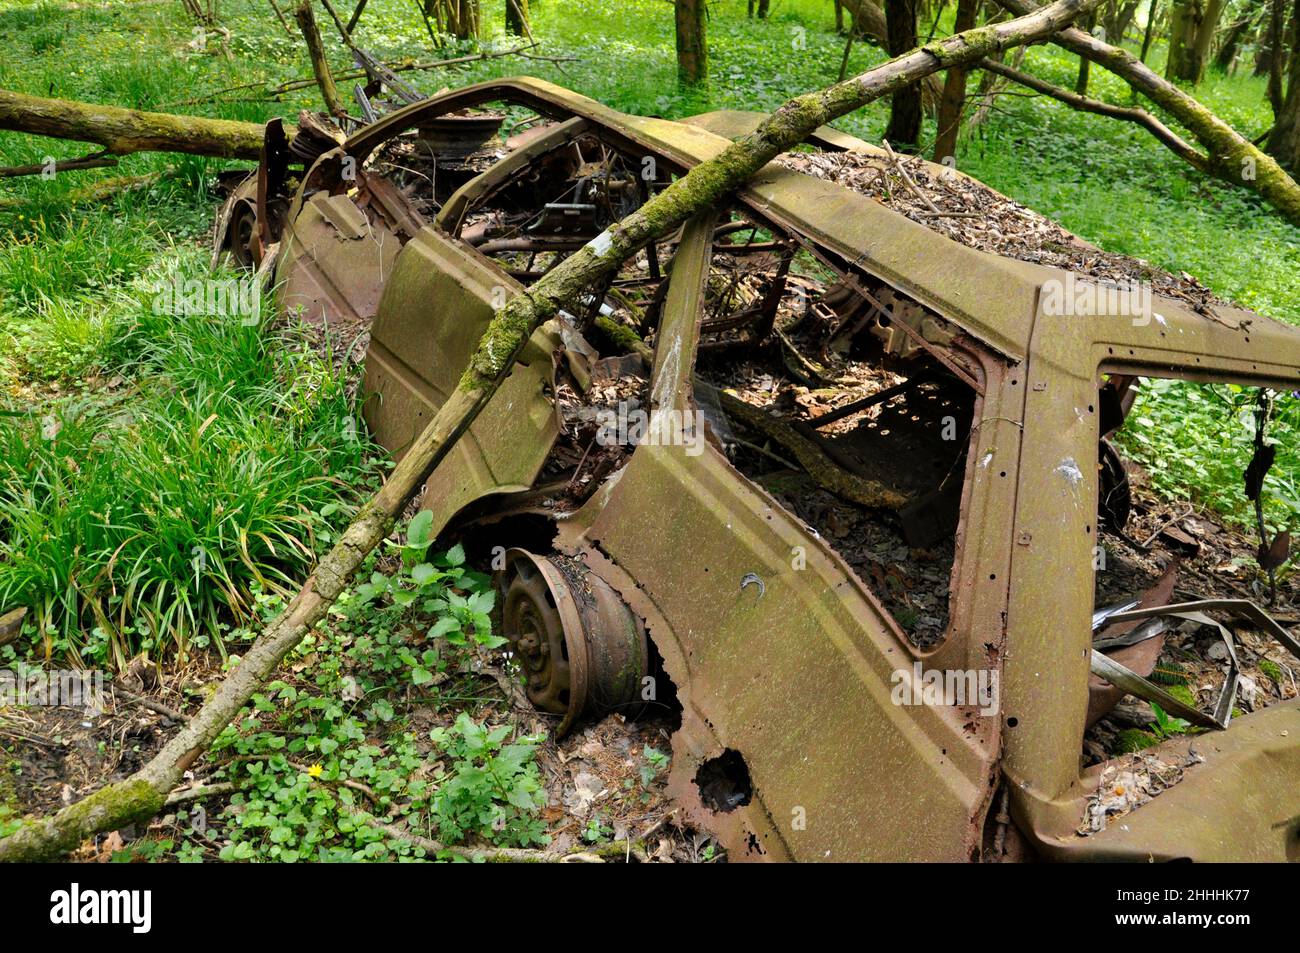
point(375, 716)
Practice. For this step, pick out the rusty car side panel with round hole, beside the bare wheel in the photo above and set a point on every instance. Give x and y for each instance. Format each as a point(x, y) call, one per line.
point(794, 674)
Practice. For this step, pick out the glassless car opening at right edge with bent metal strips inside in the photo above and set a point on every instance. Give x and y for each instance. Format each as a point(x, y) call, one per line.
point(1178, 470)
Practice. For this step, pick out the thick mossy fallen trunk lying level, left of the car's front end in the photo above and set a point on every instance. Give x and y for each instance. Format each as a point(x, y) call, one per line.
point(123, 132)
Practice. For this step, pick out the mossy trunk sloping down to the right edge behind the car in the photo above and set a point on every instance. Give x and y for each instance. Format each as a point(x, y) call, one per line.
point(1230, 155)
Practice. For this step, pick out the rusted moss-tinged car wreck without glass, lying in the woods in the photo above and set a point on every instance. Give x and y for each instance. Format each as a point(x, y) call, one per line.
point(795, 458)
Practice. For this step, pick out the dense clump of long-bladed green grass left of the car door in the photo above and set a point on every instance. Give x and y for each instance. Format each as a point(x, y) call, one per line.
point(145, 522)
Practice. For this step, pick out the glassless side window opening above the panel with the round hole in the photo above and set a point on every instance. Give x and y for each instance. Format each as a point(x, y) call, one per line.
point(840, 409)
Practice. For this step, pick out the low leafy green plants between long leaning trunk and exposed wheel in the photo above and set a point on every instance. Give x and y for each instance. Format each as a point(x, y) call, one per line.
point(317, 755)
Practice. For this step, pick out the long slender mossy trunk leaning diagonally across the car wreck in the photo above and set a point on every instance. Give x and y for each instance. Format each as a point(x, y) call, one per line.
point(144, 794)
